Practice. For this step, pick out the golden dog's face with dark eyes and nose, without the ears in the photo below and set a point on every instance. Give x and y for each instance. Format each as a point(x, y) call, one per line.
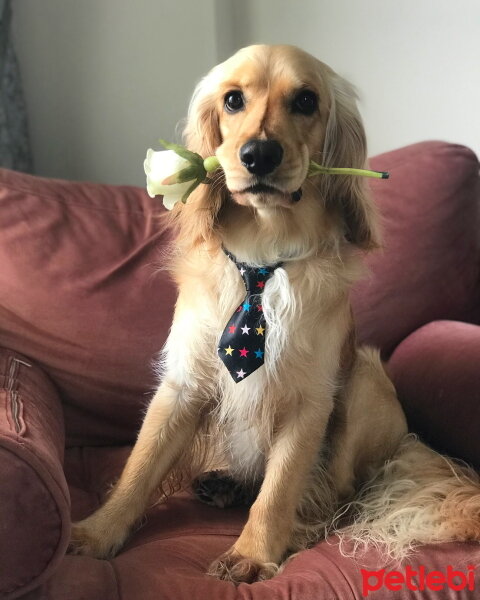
point(272, 106)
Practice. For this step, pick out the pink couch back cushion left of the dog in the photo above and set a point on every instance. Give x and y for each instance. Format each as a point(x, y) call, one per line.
point(81, 295)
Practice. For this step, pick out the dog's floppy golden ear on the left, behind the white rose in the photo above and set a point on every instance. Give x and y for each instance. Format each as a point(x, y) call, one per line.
point(195, 220)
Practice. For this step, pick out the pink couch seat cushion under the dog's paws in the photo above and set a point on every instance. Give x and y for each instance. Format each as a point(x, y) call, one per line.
point(167, 558)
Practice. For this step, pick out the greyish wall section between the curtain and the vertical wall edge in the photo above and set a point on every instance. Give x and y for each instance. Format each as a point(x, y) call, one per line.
point(105, 79)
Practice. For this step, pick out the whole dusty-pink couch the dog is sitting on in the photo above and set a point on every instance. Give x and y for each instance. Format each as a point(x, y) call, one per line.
point(83, 311)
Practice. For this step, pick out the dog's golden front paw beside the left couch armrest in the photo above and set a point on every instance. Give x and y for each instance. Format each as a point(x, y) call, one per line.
point(91, 538)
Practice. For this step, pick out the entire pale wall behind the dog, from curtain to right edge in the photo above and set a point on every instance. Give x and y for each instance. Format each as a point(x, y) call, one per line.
point(104, 79)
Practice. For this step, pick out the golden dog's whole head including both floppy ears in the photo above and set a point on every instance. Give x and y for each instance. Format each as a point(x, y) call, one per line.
point(266, 112)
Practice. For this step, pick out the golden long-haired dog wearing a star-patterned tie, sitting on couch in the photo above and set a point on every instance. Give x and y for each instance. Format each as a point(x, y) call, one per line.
point(314, 438)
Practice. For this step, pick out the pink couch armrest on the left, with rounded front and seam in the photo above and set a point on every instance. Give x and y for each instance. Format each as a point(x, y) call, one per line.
point(34, 500)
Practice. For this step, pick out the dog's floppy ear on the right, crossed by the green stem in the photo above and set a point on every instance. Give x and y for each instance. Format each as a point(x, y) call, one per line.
point(345, 146)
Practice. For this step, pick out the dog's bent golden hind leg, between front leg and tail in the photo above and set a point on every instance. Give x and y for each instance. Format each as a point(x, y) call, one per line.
point(365, 429)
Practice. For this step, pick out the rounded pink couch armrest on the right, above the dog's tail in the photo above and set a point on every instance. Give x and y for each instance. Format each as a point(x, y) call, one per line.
point(437, 376)
